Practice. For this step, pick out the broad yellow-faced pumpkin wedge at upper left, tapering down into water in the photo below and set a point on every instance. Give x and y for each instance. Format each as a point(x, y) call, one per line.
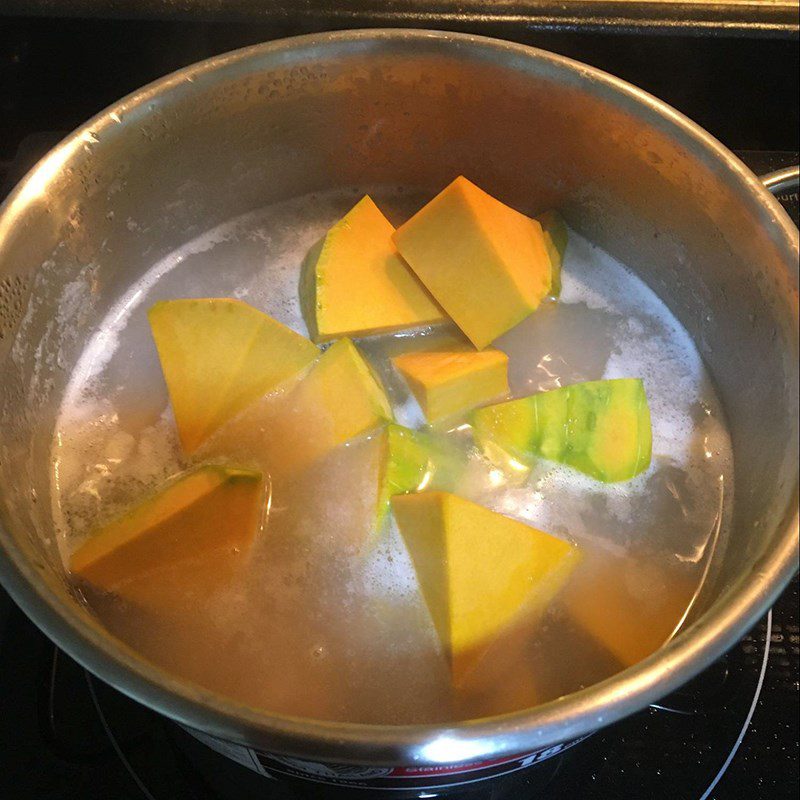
point(218, 356)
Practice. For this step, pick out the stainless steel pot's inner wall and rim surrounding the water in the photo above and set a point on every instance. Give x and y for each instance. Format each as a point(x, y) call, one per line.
point(259, 125)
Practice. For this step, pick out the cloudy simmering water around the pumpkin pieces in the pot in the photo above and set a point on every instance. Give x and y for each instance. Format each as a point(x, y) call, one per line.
point(312, 622)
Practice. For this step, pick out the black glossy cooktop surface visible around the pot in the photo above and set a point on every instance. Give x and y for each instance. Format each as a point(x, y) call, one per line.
point(732, 733)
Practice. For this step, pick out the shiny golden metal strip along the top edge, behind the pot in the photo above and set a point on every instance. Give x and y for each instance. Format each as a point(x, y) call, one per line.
point(743, 17)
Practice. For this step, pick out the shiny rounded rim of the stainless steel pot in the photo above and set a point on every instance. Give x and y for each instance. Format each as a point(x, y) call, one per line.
point(569, 717)
